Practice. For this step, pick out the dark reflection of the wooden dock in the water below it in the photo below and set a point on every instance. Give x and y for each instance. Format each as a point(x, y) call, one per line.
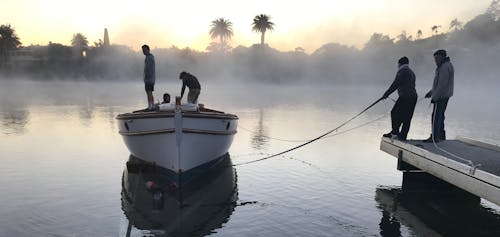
point(428, 214)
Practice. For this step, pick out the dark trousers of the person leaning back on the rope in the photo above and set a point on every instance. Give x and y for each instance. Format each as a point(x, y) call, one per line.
point(401, 114)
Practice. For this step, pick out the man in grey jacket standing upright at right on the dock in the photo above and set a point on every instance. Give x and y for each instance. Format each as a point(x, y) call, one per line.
point(442, 90)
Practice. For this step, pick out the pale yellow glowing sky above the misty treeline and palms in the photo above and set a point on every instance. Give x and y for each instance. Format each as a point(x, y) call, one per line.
point(161, 24)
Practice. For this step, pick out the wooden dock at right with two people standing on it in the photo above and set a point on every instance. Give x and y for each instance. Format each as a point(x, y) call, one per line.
point(470, 165)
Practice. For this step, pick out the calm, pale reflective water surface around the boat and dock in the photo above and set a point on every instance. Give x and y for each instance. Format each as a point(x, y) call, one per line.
point(63, 163)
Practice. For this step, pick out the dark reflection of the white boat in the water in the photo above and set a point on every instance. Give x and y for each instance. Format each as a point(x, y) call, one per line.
point(156, 207)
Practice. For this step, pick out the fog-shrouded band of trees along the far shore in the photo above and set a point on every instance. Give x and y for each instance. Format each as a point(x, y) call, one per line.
point(474, 48)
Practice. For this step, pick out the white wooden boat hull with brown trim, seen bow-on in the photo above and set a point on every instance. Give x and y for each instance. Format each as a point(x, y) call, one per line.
point(178, 141)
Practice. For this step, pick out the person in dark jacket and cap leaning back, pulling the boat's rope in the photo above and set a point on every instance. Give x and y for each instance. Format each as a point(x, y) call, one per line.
point(402, 112)
